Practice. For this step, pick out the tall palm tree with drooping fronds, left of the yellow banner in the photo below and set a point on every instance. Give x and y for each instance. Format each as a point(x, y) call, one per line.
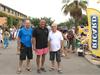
point(75, 9)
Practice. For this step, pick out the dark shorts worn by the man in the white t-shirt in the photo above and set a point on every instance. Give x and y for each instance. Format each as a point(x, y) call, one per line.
point(56, 55)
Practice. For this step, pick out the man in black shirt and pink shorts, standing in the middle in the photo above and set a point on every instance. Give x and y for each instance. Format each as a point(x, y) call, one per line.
point(40, 45)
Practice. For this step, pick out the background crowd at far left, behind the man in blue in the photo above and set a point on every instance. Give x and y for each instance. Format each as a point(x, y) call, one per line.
point(6, 36)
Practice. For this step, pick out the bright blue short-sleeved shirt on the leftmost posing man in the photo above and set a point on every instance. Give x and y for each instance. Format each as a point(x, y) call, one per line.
point(25, 36)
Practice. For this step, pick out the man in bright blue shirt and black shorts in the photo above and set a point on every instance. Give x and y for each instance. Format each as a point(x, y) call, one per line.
point(25, 45)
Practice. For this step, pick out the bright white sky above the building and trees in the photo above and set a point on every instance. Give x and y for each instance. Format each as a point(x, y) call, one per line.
point(41, 8)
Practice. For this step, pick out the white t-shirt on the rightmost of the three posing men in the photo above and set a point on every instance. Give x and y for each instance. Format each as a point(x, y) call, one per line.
point(55, 40)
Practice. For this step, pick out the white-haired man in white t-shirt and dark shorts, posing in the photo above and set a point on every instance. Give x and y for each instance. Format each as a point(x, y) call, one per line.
point(55, 44)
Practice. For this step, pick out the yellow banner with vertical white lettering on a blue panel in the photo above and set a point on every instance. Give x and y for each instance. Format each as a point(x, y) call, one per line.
point(94, 30)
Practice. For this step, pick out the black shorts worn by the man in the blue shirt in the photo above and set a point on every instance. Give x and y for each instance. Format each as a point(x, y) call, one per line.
point(26, 52)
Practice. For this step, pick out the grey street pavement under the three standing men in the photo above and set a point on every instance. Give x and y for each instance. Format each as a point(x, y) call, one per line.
point(73, 66)
